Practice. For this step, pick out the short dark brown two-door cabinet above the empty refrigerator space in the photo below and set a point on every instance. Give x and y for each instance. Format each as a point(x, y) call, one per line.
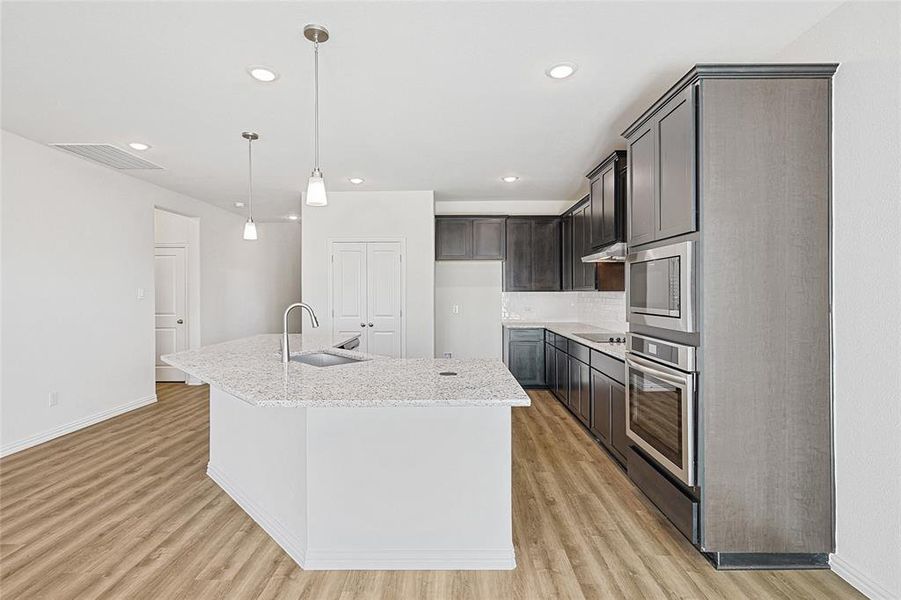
point(470, 238)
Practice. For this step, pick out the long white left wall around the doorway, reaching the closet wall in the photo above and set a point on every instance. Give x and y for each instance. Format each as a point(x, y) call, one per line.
point(77, 243)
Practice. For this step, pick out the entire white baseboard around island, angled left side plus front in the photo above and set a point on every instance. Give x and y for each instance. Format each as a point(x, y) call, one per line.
point(341, 560)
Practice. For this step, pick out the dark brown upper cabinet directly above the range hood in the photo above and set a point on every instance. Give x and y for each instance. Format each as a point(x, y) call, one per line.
point(607, 211)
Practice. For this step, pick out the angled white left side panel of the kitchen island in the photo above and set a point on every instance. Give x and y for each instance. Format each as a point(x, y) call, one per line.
point(258, 456)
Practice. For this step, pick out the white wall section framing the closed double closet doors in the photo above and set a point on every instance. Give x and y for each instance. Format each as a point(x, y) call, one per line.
point(368, 215)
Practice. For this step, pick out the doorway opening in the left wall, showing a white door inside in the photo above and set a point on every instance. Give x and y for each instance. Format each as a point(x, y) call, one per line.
point(176, 289)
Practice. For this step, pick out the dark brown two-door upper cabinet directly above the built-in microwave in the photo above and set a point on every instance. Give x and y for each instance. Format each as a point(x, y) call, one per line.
point(662, 149)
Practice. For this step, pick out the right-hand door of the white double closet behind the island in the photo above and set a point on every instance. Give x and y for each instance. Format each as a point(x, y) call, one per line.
point(383, 263)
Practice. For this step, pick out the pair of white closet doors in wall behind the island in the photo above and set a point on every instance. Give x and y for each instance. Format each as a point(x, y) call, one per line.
point(367, 295)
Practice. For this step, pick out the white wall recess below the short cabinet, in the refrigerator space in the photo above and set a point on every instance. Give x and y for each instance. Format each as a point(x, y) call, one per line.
point(474, 287)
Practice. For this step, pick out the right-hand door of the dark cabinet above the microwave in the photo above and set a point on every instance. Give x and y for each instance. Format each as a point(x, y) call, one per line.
point(675, 174)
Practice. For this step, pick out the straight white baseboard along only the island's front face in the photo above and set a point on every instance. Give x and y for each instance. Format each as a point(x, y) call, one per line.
point(411, 560)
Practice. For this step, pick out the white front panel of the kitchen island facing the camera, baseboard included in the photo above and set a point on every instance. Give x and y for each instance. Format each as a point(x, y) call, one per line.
point(409, 488)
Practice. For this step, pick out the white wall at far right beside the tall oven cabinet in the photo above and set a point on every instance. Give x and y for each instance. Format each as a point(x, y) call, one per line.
point(866, 39)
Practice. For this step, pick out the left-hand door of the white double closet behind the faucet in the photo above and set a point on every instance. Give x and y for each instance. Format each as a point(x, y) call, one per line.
point(349, 291)
